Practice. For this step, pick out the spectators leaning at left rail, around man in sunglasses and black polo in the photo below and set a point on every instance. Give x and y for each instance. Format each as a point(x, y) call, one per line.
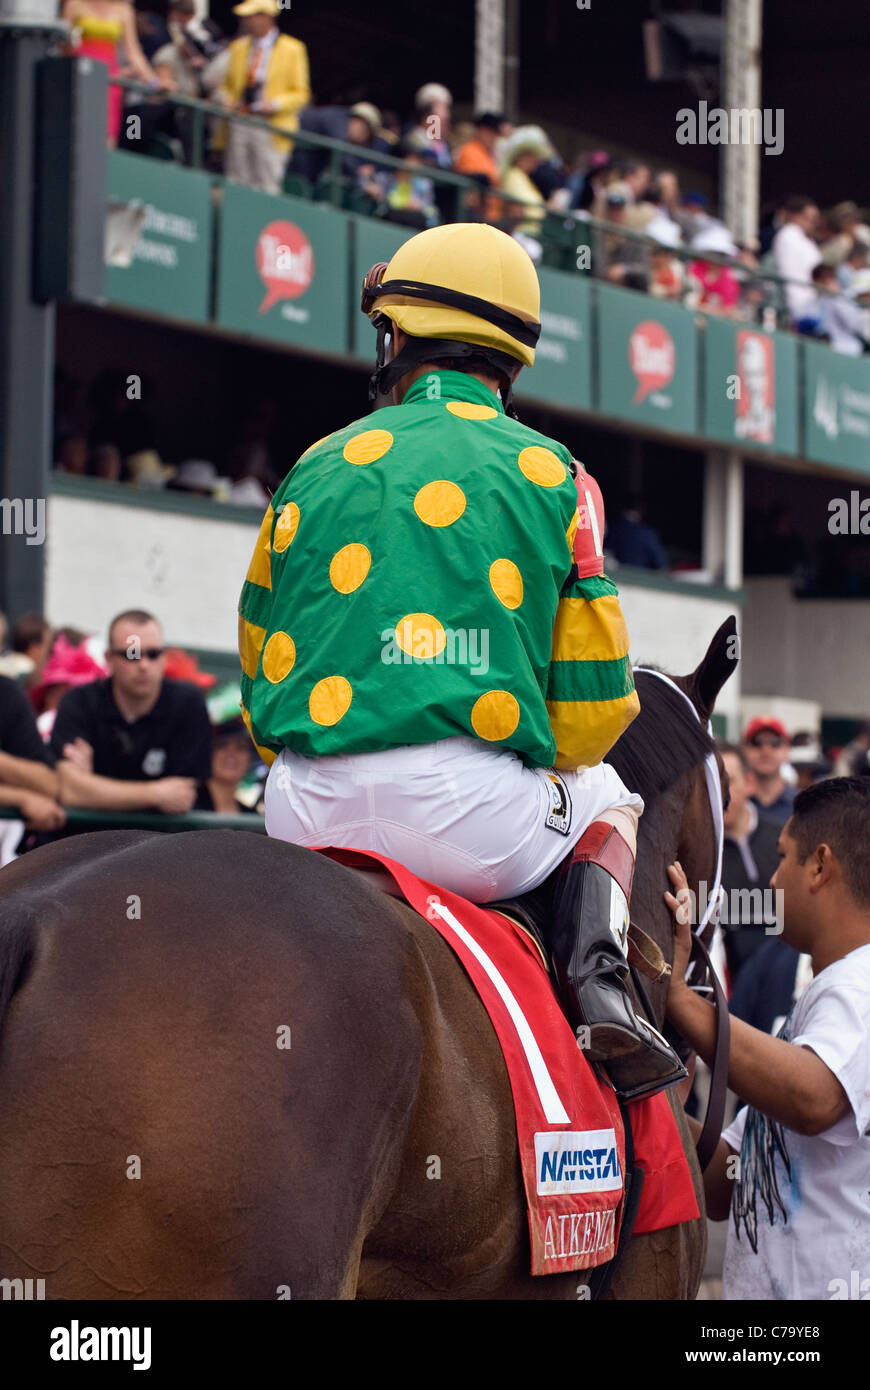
point(119, 730)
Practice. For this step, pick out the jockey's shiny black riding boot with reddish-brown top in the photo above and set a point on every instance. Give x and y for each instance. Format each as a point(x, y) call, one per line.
point(589, 942)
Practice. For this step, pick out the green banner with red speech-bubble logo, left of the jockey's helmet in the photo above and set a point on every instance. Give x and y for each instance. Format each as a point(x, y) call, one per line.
point(283, 270)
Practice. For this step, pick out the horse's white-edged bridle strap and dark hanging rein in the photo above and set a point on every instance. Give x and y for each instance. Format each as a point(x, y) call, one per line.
point(703, 967)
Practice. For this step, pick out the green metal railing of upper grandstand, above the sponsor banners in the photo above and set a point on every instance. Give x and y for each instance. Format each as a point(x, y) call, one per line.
point(562, 234)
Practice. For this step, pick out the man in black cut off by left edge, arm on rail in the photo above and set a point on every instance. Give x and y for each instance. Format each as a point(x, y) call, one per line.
point(27, 775)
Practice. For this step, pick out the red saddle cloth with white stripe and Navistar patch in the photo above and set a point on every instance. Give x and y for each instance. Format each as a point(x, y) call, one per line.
point(569, 1124)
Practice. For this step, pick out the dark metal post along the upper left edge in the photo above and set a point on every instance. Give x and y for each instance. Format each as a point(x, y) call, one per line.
point(27, 329)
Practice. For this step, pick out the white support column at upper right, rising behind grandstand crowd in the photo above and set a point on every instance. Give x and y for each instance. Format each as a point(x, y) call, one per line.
point(743, 92)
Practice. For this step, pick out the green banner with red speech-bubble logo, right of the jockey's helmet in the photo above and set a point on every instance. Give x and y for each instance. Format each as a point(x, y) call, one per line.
point(647, 361)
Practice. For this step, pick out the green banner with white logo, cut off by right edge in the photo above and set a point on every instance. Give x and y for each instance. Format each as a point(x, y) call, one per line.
point(837, 408)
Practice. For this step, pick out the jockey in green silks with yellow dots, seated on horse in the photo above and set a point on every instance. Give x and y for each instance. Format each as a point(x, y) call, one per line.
point(434, 664)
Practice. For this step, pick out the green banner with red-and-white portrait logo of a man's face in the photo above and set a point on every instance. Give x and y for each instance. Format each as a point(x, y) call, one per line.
point(751, 387)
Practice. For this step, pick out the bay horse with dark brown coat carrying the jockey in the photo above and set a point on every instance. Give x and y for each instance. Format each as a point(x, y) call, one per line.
point(233, 1070)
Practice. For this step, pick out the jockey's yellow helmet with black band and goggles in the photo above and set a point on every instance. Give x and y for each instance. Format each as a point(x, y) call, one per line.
point(462, 259)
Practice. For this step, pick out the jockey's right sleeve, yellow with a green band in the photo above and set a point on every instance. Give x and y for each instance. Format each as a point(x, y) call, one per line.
point(591, 694)
